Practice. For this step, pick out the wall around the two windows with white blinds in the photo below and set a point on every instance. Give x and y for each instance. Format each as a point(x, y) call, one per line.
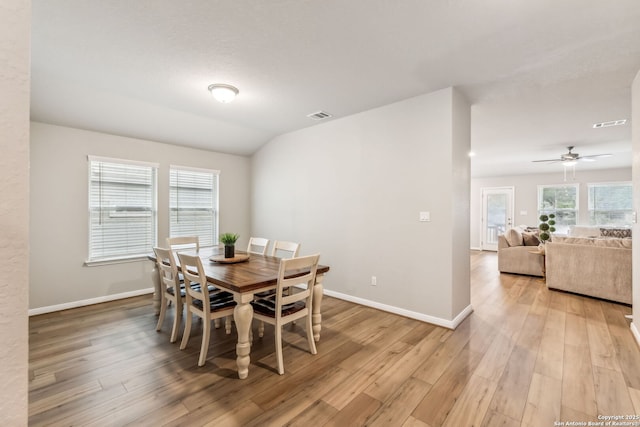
point(59, 213)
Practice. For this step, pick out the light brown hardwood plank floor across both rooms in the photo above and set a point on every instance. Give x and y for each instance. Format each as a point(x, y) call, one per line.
point(526, 356)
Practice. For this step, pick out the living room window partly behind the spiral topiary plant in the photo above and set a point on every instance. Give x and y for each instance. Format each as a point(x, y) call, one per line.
point(561, 200)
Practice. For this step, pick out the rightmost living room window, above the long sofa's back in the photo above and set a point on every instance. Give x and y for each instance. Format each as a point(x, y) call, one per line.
point(610, 204)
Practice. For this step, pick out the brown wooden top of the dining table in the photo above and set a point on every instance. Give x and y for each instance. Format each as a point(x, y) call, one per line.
point(259, 272)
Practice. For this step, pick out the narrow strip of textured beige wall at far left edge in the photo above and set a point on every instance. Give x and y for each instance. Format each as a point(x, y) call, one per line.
point(15, 19)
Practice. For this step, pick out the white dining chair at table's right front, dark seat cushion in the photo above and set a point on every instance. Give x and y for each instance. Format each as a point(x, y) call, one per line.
point(285, 307)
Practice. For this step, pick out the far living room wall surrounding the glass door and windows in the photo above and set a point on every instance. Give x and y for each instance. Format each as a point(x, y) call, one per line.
point(526, 194)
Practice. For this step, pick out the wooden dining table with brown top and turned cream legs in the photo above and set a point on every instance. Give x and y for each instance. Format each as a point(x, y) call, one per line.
point(244, 275)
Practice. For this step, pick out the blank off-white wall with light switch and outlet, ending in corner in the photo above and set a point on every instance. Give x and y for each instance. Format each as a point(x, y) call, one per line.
point(351, 189)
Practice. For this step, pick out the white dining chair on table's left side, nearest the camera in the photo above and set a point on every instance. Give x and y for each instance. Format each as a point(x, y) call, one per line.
point(206, 305)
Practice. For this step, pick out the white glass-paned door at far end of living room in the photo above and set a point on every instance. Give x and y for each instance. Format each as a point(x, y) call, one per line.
point(497, 215)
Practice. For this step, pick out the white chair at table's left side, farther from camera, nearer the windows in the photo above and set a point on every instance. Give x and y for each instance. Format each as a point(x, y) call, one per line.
point(172, 290)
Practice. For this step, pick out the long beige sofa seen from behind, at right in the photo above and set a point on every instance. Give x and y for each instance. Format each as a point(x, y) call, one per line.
point(597, 266)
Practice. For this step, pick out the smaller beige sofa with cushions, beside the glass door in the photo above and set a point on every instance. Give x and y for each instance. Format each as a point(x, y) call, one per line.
point(518, 252)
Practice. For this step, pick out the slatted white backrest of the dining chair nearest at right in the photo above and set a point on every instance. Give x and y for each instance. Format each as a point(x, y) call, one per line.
point(290, 267)
